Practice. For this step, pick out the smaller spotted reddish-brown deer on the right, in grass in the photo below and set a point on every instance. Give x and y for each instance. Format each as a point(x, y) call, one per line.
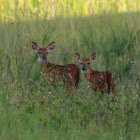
point(97, 80)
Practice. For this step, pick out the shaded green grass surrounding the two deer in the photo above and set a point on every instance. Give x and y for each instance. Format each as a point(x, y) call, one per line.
point(29, 111)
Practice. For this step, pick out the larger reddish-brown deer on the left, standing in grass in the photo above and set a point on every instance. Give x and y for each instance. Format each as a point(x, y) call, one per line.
point(68, 74)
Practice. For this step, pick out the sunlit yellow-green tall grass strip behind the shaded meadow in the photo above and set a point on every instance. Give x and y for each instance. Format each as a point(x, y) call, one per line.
point(25, 9)
